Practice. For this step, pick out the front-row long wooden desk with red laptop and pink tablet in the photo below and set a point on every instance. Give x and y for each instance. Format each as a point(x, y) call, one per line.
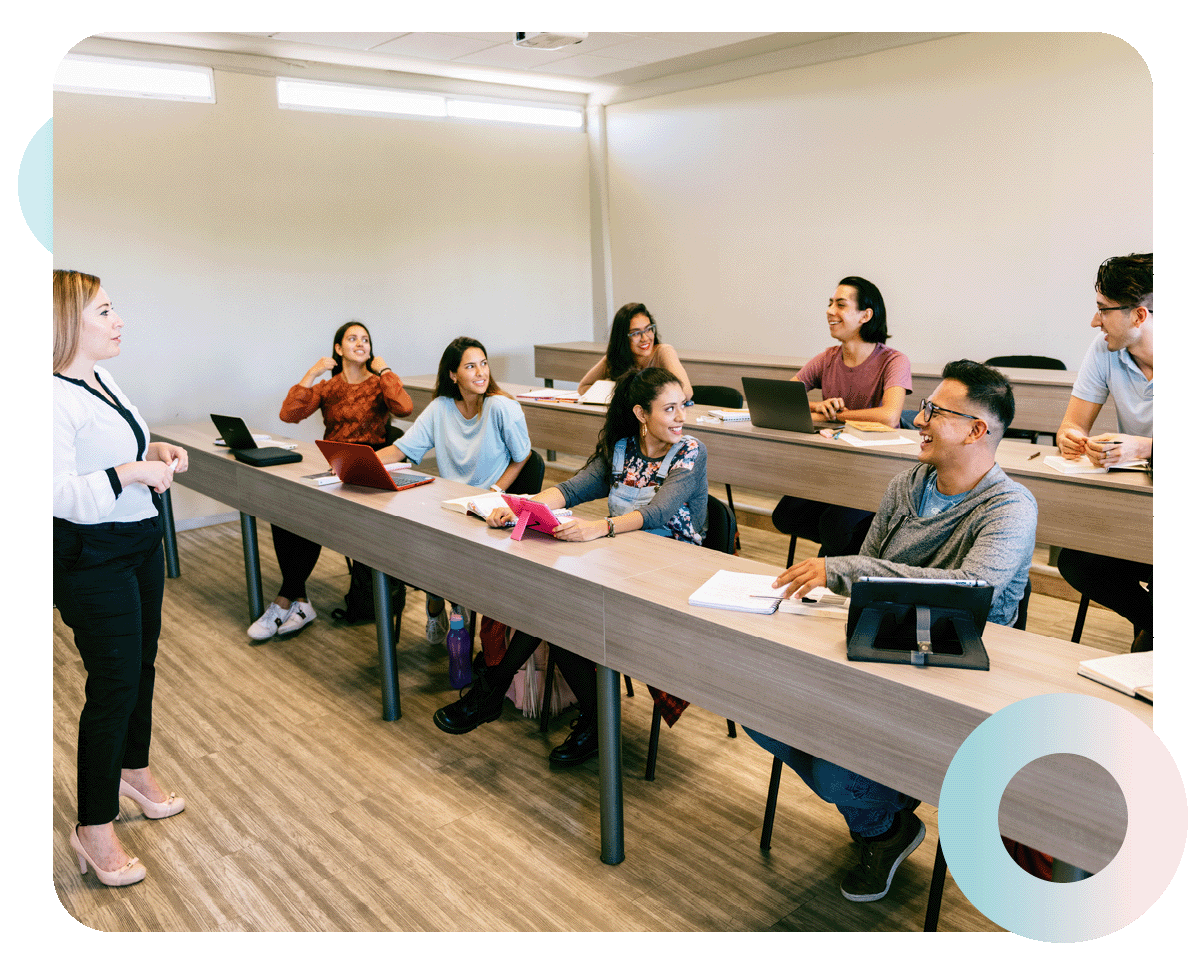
point(784, 675)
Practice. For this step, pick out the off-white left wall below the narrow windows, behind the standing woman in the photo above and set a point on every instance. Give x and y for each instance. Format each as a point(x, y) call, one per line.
point(235, 238)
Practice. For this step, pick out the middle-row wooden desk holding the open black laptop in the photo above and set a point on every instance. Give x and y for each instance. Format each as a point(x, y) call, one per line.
point(1108, 514)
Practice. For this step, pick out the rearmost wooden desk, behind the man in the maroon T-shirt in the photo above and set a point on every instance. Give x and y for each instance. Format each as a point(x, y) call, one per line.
point(1041, 395)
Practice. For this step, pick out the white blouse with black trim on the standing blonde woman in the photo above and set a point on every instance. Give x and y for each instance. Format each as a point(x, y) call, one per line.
point(91, 436)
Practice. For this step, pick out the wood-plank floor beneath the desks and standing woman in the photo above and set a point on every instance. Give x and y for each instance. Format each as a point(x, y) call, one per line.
point(308, 813)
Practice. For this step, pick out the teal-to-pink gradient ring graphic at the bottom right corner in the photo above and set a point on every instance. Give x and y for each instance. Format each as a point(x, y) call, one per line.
point(969, 811)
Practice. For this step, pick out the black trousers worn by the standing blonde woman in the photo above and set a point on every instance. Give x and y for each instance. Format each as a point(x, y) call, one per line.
point(109, 584)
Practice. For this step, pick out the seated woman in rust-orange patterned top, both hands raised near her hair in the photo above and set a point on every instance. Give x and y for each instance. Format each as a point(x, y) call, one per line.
point(357, 404)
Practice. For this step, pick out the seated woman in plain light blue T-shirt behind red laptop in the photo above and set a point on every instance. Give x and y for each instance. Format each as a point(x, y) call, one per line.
point(477, 431)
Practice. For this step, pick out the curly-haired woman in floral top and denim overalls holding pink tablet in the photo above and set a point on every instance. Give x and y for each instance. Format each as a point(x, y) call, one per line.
point(656, 479)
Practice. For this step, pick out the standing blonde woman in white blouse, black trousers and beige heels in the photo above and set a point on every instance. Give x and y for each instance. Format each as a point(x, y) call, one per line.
point(109, 571)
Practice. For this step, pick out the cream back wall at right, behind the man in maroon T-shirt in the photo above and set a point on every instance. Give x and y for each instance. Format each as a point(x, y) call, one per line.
point(979, 181)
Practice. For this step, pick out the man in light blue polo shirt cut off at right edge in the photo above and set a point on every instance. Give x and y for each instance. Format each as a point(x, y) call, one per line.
point(1120, 363)
